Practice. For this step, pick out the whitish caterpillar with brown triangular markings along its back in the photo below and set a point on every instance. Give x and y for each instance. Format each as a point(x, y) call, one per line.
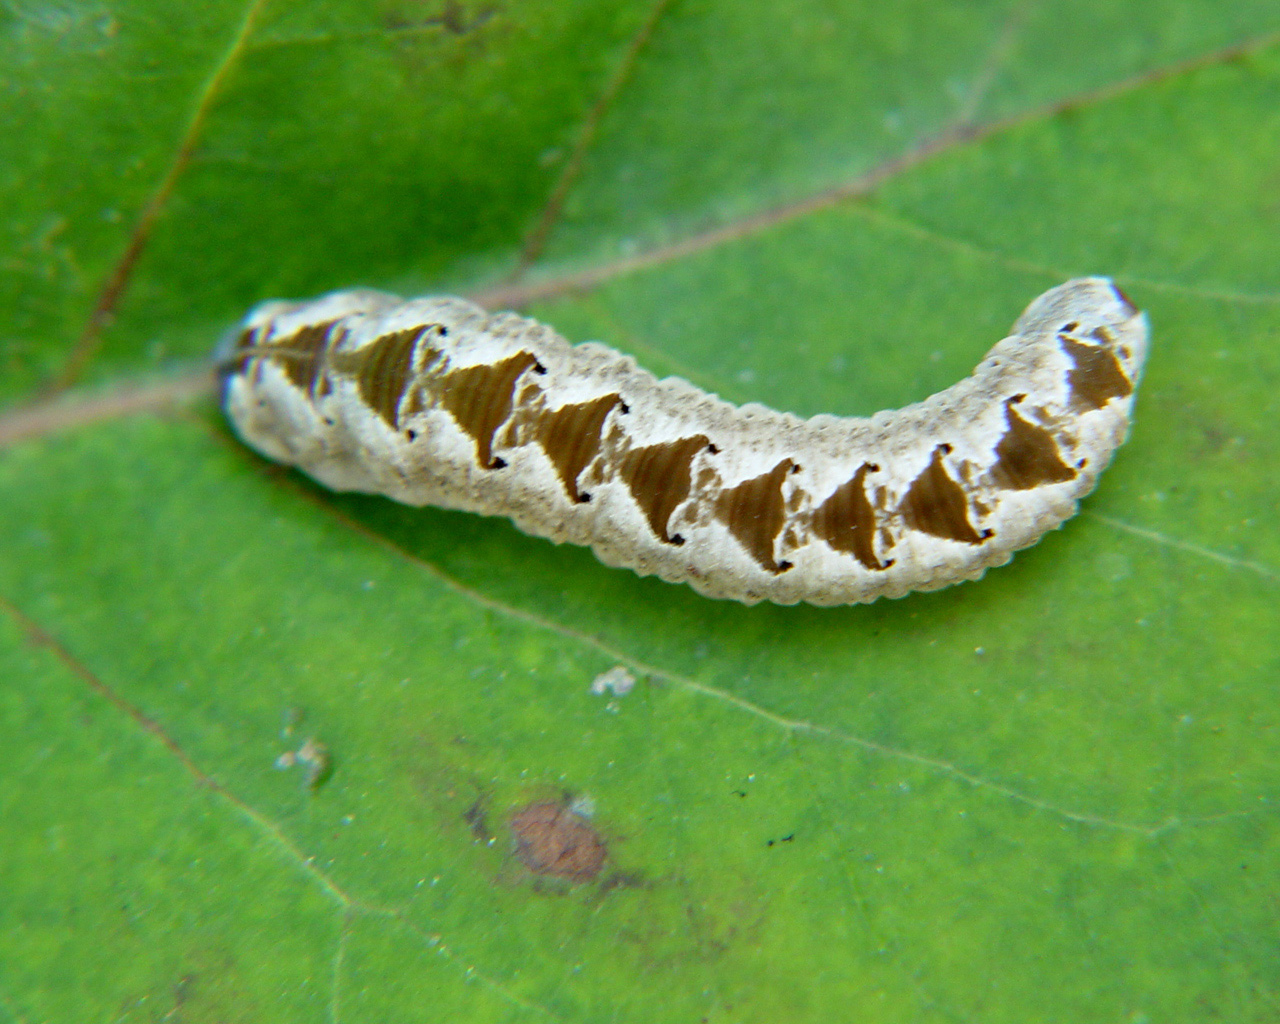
point(433, 401)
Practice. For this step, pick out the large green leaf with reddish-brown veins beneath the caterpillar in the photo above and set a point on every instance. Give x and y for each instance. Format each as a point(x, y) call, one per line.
point(1049, 796)
